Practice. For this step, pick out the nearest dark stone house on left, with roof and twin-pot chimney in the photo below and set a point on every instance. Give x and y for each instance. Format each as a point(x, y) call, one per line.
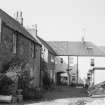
point(16, 41)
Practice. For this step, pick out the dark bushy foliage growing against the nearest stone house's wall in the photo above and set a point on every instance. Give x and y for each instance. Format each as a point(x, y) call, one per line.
point(8, 86)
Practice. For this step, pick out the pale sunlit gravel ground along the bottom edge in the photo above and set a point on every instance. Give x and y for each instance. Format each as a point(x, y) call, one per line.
point(72, 101)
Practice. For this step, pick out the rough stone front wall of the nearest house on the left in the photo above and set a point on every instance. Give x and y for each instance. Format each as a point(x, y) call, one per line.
point(23, 49)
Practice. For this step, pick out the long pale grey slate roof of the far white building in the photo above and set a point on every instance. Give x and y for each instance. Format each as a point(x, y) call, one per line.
point(76, 48)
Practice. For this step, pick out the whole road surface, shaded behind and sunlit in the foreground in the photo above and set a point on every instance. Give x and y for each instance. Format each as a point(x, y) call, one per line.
point(67, 96)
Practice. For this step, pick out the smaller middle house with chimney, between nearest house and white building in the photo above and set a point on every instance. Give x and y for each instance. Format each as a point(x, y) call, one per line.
point(47, 54)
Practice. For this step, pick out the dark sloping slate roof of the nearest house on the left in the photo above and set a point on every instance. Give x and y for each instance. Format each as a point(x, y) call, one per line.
point(15, 25)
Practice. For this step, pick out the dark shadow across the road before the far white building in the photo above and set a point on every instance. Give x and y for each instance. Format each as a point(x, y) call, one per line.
point(68, 92)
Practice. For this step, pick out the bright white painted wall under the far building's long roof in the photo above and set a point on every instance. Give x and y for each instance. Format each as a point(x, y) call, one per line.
point(84, 66)
